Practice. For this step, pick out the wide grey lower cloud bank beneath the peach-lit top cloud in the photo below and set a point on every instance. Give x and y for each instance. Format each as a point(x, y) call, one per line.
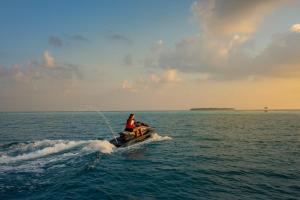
point(280, 58)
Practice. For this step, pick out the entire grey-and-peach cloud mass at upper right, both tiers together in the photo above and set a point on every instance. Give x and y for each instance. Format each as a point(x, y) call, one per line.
point(230, 55)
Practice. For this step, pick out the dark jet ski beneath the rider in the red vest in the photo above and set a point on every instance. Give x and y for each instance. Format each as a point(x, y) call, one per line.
point(127, 138)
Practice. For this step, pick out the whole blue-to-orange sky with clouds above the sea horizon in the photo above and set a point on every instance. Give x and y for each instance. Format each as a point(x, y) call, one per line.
point(149, 55)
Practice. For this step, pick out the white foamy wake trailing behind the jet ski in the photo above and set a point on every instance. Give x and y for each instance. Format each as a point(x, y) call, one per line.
point(36, 153)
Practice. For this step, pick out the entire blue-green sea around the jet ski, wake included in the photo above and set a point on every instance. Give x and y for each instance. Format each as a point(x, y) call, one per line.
point(194, 155)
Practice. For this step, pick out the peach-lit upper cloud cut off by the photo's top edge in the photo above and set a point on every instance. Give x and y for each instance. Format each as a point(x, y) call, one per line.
point(228, 17)
